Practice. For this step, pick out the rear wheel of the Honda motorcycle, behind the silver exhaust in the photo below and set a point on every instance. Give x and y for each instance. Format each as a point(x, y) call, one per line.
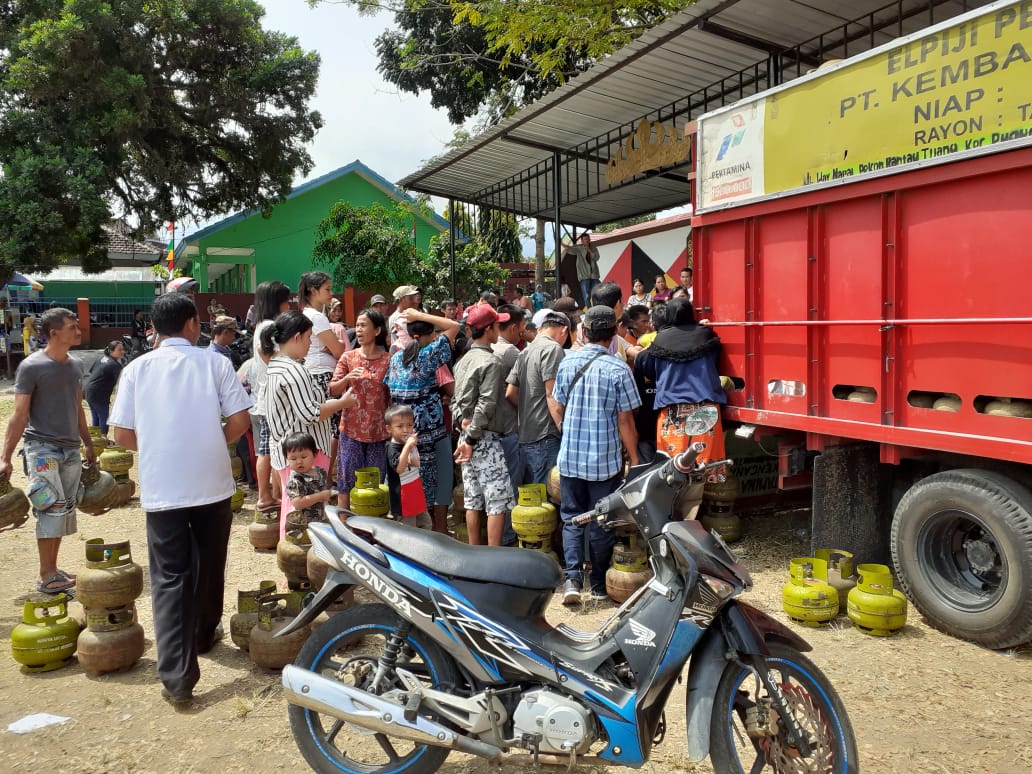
point(349, 648)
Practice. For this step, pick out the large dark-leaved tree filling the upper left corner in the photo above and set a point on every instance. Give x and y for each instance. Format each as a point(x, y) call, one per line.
point(148, 112)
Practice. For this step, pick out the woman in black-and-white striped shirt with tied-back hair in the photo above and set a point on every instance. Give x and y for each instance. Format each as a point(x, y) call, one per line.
point(294, 402)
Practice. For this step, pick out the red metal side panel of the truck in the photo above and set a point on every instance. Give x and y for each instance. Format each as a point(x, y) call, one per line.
point(892, 285)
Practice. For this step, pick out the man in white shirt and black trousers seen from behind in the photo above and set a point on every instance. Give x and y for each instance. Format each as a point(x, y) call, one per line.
point(170, 406)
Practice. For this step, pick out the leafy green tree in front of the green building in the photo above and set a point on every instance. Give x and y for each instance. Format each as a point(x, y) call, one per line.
point(369, 247)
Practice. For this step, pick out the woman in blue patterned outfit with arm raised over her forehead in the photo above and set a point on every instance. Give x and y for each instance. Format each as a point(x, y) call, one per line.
point(412, 379)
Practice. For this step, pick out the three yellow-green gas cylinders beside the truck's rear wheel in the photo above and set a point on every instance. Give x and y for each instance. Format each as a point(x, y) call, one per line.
point(824, 587)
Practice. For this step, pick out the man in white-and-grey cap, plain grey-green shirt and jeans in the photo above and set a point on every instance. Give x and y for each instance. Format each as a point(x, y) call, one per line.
point(531, 383)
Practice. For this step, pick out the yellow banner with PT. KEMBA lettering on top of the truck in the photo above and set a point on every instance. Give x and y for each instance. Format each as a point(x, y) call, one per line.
point(957, 89)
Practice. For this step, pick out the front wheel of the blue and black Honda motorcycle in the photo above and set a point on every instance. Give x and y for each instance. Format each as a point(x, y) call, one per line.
point(746, 736)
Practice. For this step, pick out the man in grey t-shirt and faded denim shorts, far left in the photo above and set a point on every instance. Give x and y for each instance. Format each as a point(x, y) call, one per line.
point(49, 414)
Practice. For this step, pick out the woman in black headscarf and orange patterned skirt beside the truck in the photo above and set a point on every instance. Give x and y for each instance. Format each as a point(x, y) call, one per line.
point(683, 363)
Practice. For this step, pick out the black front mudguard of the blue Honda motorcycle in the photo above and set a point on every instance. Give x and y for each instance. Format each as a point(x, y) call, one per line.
point(744, 630)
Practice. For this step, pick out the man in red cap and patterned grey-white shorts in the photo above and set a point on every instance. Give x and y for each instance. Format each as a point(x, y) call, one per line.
point(483, 415)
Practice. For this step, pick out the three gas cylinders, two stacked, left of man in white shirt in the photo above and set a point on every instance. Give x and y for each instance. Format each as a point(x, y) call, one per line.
point(109, 639)
